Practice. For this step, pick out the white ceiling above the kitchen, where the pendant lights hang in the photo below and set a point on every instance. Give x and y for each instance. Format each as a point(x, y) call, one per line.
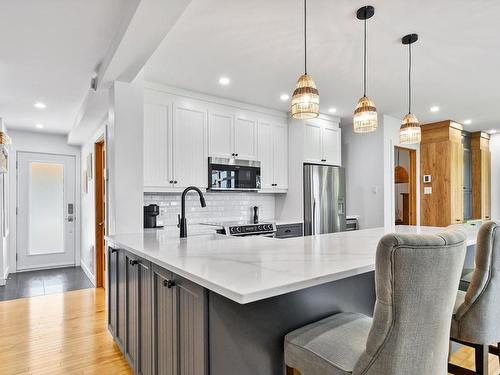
point(258, 44)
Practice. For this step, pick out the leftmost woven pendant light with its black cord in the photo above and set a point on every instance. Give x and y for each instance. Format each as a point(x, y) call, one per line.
point(305, 99)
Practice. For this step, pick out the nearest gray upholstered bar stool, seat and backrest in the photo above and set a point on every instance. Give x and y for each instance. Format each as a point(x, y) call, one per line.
point(410, 328)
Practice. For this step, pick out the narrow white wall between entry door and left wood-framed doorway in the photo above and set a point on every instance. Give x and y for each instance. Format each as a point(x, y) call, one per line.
point(87, 221)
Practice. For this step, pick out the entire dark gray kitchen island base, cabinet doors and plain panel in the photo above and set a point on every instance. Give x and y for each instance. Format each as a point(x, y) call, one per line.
point(165, 324)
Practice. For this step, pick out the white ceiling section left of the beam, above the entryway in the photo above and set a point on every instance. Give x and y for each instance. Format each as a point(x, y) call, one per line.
point(49, 50)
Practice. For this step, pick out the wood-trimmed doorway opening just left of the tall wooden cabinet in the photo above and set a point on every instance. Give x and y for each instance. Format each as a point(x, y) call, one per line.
point(405, 189)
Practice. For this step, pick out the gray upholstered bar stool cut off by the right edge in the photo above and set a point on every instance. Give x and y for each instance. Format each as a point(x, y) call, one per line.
point(476, 319)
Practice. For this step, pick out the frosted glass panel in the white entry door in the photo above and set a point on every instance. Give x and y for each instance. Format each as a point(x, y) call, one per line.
point(46, 202)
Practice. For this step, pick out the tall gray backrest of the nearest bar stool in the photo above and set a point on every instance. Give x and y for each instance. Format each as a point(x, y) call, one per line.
point(417, 279)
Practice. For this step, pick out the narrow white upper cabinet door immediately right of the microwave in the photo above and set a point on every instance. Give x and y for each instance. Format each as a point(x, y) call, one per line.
point(265, 155)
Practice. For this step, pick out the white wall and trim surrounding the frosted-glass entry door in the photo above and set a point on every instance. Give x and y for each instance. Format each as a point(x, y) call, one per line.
point(42, 143)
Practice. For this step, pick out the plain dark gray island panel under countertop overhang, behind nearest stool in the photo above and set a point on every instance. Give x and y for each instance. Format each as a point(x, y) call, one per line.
point(248, 339)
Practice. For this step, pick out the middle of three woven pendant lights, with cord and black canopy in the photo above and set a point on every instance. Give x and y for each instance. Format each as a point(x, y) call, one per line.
point(365, 114)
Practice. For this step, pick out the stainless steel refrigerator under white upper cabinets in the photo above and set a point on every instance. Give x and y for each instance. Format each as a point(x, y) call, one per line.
point(324, 199)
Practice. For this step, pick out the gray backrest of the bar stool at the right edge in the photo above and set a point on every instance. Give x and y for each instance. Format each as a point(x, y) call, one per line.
point(478, 318)
